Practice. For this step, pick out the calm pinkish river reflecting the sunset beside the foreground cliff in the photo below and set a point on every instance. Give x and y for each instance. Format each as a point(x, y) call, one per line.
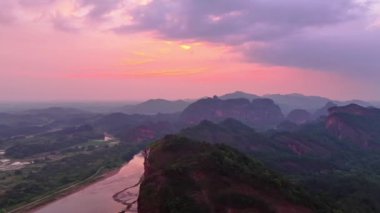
point(97, 198)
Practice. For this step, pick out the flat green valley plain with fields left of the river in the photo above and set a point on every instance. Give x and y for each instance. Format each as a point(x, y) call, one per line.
point(66, 149)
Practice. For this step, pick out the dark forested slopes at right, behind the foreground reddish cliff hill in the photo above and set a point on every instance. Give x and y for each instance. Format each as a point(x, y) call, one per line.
point(344, 172)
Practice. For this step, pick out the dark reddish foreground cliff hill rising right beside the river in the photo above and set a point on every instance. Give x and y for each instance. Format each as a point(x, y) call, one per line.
point(187, 176)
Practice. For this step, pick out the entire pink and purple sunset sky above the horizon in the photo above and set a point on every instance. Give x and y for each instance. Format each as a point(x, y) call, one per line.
point(86, 50)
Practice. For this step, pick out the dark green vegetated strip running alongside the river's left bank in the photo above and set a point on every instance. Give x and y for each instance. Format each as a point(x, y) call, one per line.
point(58, 174)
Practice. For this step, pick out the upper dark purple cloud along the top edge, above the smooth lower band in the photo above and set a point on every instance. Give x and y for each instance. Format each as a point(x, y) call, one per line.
point(239, 21)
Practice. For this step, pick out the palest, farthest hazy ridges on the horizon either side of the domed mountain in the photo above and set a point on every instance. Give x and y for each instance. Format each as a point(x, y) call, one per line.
point(287, 103)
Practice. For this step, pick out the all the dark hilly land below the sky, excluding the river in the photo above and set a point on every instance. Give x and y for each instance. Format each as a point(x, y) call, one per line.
point(321, 157)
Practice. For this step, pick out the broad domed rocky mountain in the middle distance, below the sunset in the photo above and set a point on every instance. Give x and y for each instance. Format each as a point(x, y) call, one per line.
point(259, 113)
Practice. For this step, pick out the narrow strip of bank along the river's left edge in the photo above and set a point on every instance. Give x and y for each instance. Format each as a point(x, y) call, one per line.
point(61, 193)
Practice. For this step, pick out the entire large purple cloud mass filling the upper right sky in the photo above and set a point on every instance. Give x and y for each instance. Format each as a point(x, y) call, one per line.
point(324, 34)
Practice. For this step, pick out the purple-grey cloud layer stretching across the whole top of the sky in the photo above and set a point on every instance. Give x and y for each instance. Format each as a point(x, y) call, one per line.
point(326, 35)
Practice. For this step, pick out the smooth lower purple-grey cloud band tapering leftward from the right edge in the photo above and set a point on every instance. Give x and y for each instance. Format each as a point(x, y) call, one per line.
point(354, 50)
